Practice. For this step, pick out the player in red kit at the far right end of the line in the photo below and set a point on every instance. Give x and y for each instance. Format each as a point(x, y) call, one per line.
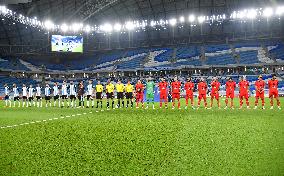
point(273, 91)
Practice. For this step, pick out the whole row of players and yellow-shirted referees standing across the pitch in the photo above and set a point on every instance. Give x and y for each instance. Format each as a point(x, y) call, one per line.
point(30, 98)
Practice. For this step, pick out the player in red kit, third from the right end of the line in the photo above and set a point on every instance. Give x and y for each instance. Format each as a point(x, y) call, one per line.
point(244, 91)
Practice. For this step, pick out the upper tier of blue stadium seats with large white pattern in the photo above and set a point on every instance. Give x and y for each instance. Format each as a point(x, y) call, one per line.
point(248, 53)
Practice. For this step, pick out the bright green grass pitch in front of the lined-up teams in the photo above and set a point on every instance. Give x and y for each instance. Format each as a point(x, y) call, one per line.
point(142, 142)
